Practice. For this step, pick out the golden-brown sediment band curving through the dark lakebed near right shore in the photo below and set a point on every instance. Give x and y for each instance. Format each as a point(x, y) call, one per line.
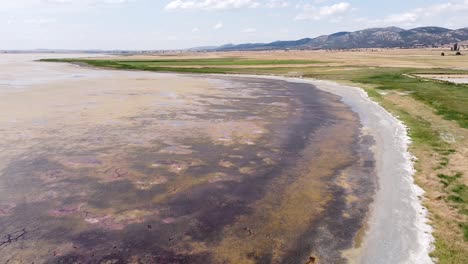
point(282, 221)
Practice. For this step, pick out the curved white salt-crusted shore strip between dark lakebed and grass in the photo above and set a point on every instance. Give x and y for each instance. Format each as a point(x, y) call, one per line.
point(406, 238)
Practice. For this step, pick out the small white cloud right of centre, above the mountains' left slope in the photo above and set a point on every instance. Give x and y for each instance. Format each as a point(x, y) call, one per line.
point(318, 13)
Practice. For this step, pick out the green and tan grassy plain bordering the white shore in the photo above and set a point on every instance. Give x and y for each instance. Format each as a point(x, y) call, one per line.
point(436, 112)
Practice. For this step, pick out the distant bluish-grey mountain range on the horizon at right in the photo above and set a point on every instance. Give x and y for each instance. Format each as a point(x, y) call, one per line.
point(390, 37)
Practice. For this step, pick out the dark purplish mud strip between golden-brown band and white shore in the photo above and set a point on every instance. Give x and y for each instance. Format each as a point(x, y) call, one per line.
point(342, 222)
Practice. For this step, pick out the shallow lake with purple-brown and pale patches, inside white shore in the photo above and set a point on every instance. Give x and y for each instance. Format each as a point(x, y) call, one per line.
point(158, 168)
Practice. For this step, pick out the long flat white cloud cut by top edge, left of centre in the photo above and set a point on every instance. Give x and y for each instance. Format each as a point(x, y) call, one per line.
point(210, 4)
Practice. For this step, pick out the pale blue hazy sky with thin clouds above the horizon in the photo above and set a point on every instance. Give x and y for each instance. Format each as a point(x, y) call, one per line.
point(173, 24)
